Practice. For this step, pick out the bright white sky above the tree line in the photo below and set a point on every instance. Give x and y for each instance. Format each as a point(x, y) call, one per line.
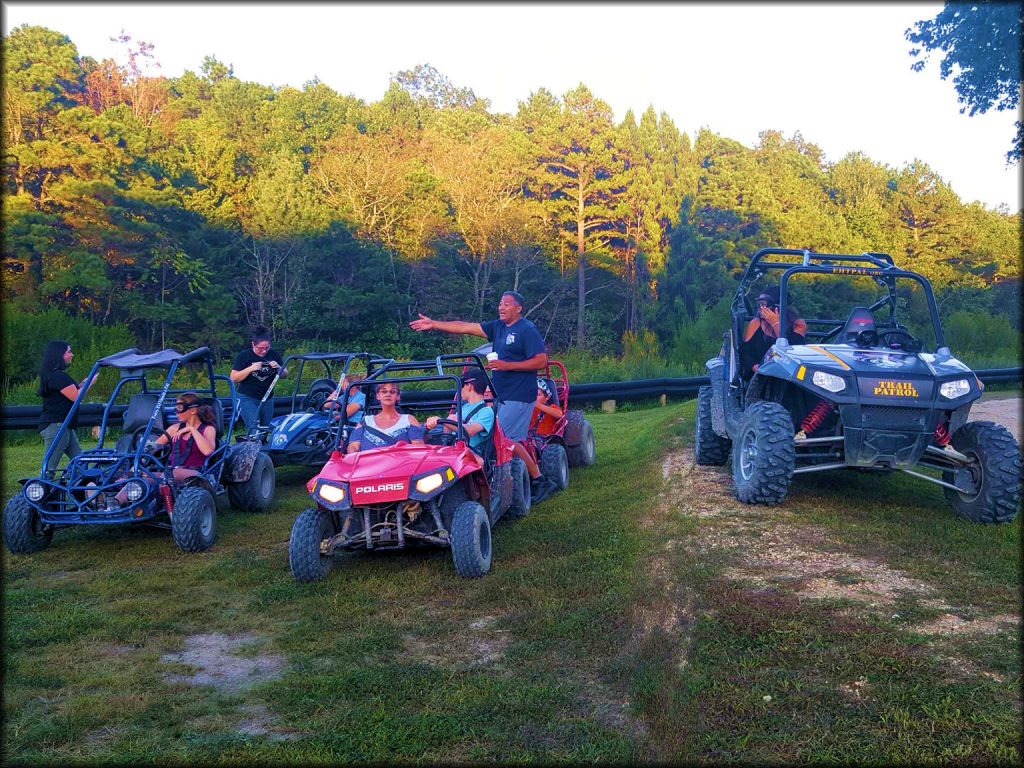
point(839, 73)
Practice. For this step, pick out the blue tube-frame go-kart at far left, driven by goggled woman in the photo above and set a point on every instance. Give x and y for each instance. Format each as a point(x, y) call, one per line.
point(126, 458)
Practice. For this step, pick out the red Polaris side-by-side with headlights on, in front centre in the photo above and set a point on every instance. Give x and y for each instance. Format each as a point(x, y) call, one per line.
point(439, 494)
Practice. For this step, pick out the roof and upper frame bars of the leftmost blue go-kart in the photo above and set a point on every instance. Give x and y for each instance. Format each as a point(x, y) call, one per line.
point(133, 365)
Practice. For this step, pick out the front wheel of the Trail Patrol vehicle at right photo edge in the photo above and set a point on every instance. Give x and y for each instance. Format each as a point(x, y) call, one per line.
point(996, 470)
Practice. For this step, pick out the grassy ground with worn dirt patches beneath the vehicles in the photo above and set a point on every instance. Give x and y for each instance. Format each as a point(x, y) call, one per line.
point(642, 616)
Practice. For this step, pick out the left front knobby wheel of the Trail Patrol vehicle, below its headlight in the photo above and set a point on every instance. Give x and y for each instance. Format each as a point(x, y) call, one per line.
point(763, 455)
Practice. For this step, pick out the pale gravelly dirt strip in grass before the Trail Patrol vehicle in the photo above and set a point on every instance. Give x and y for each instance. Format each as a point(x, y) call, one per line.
point(763, 551)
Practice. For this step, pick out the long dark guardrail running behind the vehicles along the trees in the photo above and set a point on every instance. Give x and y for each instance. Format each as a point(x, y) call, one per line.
point(27, 417)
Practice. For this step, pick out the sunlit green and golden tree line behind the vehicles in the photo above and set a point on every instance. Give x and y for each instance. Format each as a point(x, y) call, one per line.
point(188, 209)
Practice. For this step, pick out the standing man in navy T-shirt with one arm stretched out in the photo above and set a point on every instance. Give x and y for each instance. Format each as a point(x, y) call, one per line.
point(522, 354)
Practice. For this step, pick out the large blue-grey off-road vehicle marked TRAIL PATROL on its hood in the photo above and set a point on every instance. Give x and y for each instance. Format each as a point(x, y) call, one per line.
point(872, 386)
